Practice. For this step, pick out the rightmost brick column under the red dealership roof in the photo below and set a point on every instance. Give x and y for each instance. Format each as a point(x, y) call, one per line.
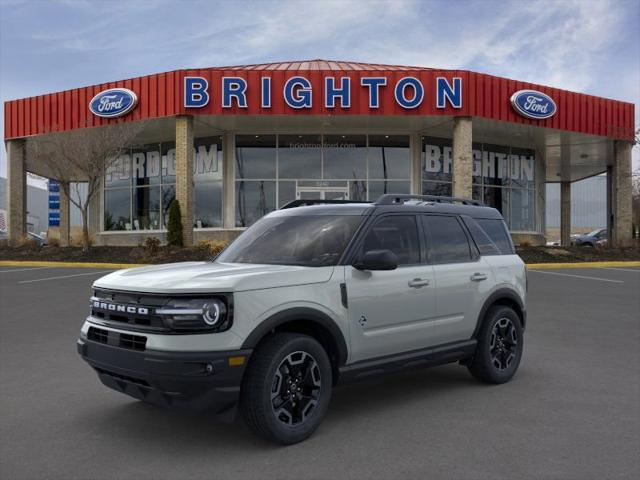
point(620, 234)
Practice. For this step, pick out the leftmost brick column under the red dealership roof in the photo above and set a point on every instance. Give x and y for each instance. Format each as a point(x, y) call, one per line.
point(16, 191)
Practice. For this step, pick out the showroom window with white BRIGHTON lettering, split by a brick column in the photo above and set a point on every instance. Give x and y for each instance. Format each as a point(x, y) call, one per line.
point(503, 178)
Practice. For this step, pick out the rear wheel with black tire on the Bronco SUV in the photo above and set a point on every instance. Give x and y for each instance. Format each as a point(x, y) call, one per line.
point(500, 343)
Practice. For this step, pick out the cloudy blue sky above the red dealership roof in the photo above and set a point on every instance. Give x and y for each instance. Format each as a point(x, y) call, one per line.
point(590, 46)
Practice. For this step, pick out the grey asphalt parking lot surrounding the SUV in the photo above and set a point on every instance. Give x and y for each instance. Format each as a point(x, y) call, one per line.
point(572, 411)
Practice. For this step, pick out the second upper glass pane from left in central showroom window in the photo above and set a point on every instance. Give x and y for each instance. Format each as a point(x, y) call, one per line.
point(300, 156)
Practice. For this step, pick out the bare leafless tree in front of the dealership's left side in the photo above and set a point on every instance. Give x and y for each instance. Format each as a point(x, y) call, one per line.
point(84, 155)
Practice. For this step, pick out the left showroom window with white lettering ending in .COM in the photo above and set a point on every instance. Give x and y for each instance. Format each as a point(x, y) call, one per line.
point(140, 186)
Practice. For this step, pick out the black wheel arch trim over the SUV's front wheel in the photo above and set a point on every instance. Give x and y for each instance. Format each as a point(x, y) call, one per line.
point(306, 314)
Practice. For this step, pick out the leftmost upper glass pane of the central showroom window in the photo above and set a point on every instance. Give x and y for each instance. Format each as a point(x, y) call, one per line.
point(256, 156)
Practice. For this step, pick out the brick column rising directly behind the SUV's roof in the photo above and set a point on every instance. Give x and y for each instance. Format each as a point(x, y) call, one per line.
point(462, 157)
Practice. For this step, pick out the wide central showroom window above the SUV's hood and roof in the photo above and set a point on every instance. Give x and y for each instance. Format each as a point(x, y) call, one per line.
point(272, 170)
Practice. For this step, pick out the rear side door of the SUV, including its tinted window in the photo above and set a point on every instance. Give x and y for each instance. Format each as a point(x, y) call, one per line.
point(462, 278)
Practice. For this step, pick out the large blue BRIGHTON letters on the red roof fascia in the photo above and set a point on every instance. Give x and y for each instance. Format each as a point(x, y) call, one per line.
point(298, 93)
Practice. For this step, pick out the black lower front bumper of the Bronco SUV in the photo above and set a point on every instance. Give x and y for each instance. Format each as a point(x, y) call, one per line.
point(196, 381)
